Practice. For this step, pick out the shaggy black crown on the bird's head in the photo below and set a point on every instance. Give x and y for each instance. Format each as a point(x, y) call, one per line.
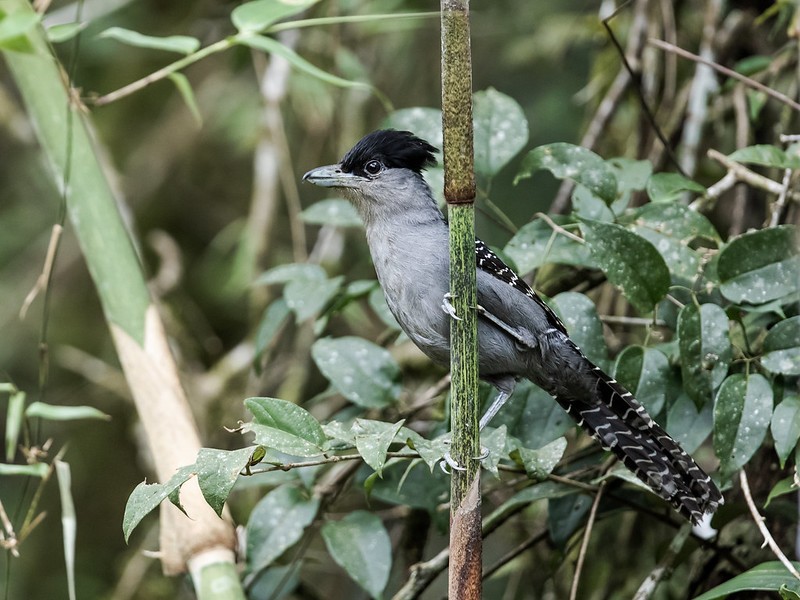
point(394, 149)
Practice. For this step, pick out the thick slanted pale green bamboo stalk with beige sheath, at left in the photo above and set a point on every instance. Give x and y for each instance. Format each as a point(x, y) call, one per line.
point(65, 136)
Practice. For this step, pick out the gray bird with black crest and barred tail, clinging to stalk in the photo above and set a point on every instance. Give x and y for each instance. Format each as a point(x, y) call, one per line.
point(518, 334)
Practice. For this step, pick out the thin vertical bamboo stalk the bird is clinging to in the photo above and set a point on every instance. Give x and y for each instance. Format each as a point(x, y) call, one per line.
point(459, 189)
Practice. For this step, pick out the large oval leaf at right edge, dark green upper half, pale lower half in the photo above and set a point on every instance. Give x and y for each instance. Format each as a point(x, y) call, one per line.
point(760, 266)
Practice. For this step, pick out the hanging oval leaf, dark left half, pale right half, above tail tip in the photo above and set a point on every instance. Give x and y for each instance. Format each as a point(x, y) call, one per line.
point(742, 411)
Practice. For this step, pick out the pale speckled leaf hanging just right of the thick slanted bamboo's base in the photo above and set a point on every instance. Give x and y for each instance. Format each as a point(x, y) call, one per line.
point(276, 524)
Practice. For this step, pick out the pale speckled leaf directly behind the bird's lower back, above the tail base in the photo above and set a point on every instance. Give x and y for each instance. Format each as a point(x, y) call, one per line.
point(579, 315)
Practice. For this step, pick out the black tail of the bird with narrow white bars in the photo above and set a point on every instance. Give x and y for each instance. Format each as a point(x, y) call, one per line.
point(621, 424)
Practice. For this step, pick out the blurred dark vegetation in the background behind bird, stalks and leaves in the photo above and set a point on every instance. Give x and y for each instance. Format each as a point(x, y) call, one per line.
point(187, 191)
